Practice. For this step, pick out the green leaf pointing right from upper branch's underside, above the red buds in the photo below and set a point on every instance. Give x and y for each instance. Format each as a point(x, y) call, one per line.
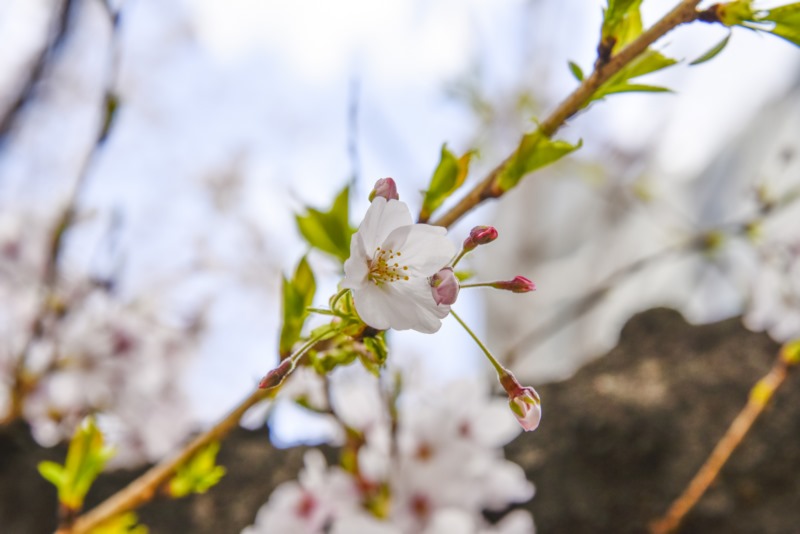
point(534, 152)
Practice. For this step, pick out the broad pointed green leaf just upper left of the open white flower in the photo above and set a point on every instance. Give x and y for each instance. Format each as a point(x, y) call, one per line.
point(329, 231)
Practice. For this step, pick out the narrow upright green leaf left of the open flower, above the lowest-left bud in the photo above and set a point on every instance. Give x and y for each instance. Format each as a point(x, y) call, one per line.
point(298, 294)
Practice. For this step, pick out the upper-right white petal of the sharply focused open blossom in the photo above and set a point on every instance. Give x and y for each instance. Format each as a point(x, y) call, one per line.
point(425, 249)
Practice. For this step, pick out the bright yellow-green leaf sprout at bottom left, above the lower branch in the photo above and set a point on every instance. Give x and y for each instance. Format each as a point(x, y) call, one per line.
point(86, 457)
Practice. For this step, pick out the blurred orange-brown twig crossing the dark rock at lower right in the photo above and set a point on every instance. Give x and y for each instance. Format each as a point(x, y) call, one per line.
point(760, 395)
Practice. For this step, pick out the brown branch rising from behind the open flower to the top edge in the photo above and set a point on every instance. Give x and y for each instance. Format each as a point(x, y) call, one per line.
point(684, 12)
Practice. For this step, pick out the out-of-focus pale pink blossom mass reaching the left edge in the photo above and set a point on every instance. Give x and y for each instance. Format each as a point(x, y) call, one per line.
point(72, 347)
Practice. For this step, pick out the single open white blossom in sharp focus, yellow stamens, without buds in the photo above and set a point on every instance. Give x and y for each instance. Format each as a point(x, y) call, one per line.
point(391, 261)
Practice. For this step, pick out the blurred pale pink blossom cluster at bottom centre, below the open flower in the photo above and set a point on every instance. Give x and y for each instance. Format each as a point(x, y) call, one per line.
point(434, 467)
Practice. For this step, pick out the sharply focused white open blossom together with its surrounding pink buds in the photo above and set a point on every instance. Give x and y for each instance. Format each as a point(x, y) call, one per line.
point(402, 276)
